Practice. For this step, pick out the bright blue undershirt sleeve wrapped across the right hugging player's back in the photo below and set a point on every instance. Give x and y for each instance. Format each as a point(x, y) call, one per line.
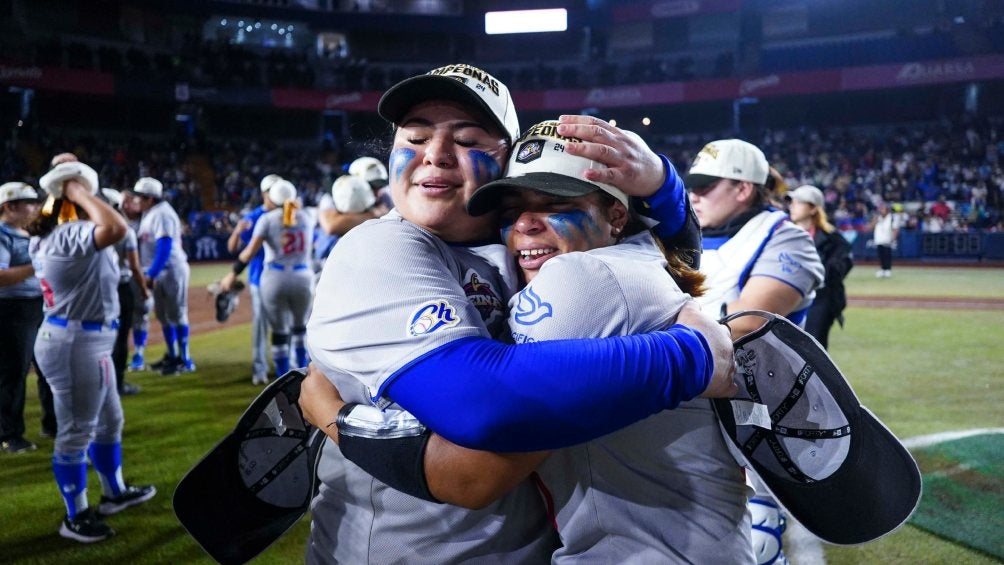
point(483, 395)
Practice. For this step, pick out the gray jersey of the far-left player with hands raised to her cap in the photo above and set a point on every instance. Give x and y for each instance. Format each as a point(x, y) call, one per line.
point(79, 281)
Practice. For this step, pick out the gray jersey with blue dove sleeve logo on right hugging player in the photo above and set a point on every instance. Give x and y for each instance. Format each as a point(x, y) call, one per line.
point(665, 490)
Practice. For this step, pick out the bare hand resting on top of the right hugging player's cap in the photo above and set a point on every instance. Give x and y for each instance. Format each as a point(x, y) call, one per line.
point(632, 166)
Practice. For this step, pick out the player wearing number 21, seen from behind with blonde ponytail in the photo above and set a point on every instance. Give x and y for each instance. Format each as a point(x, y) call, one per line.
point(288, 279)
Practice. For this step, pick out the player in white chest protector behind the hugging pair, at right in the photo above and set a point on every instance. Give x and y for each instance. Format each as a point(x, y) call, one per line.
point(756, 259)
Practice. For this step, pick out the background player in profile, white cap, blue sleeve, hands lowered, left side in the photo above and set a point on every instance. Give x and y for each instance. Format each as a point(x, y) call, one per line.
point(167, 271)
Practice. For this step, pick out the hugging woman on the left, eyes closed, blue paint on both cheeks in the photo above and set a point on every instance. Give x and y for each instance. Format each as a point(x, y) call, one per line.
point(413, 327)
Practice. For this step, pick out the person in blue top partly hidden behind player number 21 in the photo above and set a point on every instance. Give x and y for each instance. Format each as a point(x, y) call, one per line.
point(239, 238)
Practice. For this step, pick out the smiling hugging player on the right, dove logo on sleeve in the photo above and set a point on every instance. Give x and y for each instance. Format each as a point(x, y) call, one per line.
point(665, 490)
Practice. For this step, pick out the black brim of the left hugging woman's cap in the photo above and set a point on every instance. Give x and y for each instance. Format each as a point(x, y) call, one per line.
point(398, 101)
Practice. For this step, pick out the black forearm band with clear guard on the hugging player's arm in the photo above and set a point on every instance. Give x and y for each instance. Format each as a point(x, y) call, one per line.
point(392, 450)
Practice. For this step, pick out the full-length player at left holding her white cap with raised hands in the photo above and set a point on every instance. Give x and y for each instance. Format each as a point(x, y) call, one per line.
point(79, 273)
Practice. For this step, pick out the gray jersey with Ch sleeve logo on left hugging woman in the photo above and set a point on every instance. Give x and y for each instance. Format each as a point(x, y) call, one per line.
point(393, 293)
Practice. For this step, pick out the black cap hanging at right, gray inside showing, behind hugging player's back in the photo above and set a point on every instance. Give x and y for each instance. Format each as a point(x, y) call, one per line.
point(831, 462)
